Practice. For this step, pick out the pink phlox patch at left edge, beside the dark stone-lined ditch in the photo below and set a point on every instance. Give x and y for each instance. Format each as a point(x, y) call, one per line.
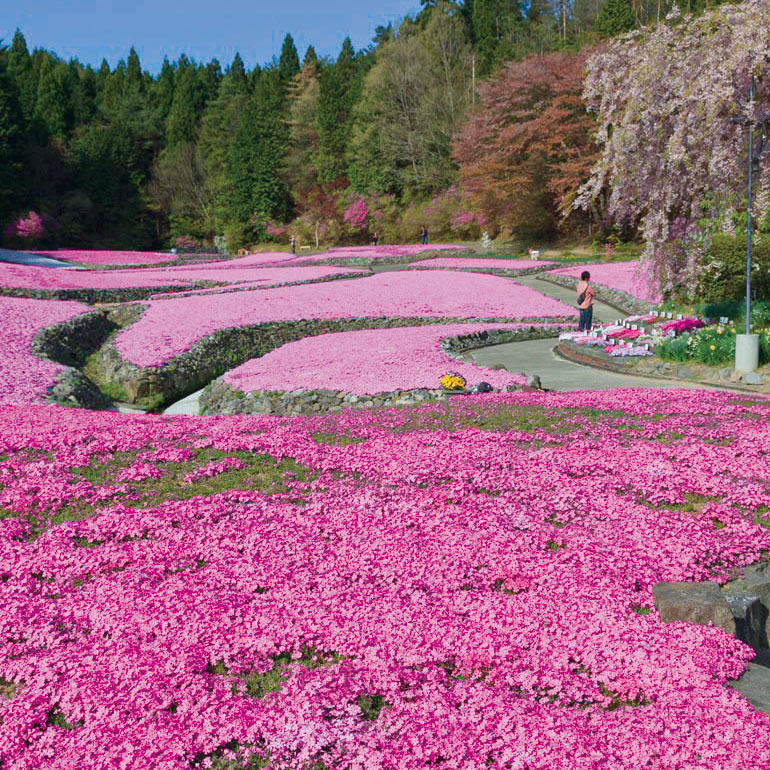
point(25, 378)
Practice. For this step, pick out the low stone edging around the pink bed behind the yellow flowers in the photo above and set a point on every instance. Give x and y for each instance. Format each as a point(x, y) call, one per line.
point(220, 398)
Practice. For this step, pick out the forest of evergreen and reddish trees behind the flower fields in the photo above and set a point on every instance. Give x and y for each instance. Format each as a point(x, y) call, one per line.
point(465, 117)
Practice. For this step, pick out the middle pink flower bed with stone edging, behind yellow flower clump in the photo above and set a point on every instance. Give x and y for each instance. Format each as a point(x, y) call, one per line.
point(365, 369)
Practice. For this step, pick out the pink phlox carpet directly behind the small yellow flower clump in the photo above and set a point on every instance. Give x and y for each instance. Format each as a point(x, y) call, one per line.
point(367, 362)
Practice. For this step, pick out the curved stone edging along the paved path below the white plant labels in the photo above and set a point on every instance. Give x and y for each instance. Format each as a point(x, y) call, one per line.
point(654, 368)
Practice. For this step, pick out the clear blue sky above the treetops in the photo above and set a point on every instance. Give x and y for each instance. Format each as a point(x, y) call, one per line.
point(92, 29)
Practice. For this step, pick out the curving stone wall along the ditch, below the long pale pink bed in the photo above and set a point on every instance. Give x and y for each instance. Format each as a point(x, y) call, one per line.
point(210, 357)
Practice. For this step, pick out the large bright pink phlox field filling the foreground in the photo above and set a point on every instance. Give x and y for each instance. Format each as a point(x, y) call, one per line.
point(472, 599)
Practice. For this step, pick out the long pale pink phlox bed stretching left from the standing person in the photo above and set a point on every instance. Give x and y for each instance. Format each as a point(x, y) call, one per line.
point(169, 327)
